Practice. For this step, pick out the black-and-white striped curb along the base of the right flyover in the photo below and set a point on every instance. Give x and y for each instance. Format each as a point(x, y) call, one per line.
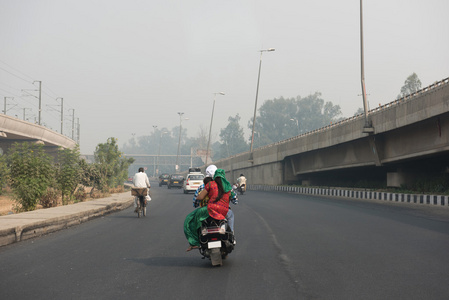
point(435, 200)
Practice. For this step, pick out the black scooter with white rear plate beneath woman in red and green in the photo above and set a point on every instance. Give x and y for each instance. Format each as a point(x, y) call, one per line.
point(216, 239)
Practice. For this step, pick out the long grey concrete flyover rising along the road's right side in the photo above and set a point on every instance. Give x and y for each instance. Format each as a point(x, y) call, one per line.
point(410, 137)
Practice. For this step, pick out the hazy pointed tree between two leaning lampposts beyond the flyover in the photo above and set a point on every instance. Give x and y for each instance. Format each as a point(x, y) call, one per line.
point(232, 139)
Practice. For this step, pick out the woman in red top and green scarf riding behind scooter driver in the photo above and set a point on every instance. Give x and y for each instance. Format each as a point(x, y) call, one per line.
point(218, 191)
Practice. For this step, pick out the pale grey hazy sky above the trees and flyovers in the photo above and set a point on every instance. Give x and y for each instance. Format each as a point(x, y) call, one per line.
point(124, 66)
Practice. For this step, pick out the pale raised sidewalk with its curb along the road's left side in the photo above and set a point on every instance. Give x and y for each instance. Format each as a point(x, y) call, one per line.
point(18, 227)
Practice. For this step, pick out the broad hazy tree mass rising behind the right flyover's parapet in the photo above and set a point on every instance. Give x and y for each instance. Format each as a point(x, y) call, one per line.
point(281, 118)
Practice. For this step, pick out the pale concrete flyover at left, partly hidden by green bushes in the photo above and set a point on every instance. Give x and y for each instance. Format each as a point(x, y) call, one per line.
point(15, 130)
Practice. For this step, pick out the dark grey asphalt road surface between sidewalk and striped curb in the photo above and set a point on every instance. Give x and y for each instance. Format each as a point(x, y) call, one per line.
point(288, 247)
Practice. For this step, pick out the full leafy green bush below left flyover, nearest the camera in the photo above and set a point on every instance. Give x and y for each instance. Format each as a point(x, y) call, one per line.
point(31, 173)
